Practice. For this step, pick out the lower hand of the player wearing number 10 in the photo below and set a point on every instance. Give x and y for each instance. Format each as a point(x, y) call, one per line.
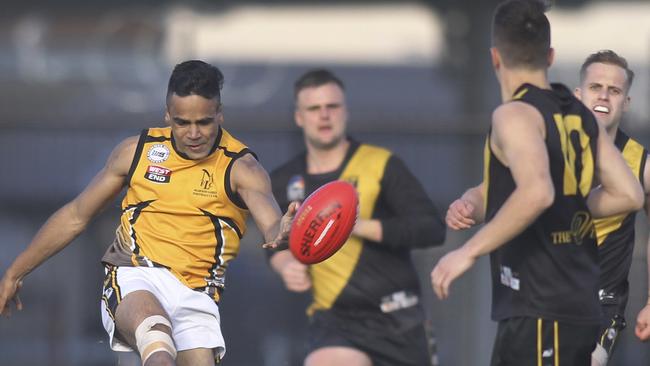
point(450, 267)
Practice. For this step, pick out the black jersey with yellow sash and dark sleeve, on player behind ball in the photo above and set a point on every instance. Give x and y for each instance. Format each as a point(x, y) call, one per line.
point(368, 277)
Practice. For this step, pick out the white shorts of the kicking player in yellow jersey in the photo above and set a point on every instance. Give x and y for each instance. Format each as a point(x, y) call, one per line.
point(194, 315)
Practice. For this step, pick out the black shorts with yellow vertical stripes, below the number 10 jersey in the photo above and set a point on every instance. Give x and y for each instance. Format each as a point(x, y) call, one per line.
point(523, 341)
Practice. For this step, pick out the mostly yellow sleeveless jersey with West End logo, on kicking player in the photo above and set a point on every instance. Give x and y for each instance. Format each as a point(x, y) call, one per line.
point(179, 213)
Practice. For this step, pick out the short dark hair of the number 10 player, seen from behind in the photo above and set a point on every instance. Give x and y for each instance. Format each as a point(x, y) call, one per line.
point(522, 34)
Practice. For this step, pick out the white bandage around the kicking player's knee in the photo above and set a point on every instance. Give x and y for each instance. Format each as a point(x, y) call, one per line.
point(151, 340)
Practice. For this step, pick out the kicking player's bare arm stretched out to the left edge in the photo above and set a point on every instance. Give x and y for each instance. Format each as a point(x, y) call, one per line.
point(68, 222)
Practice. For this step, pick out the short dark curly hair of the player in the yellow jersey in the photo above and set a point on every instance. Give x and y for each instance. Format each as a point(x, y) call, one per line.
point(195, 77)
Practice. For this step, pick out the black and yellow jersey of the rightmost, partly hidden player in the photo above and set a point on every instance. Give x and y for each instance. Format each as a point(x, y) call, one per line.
point(616, 234)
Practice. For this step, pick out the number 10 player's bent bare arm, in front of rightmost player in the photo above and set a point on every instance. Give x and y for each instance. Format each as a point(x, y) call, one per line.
point(619, 190)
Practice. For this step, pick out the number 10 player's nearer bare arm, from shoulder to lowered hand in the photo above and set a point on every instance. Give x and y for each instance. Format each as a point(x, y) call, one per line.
point(518, 142)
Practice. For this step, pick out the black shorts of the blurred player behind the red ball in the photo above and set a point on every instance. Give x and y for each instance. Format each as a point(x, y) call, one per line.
point(387, 347)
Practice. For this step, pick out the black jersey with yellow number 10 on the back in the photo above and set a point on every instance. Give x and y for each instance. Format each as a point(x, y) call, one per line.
point(550, 270)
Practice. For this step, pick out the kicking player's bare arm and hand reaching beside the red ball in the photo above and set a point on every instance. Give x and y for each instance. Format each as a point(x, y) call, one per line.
point(252, 183)
